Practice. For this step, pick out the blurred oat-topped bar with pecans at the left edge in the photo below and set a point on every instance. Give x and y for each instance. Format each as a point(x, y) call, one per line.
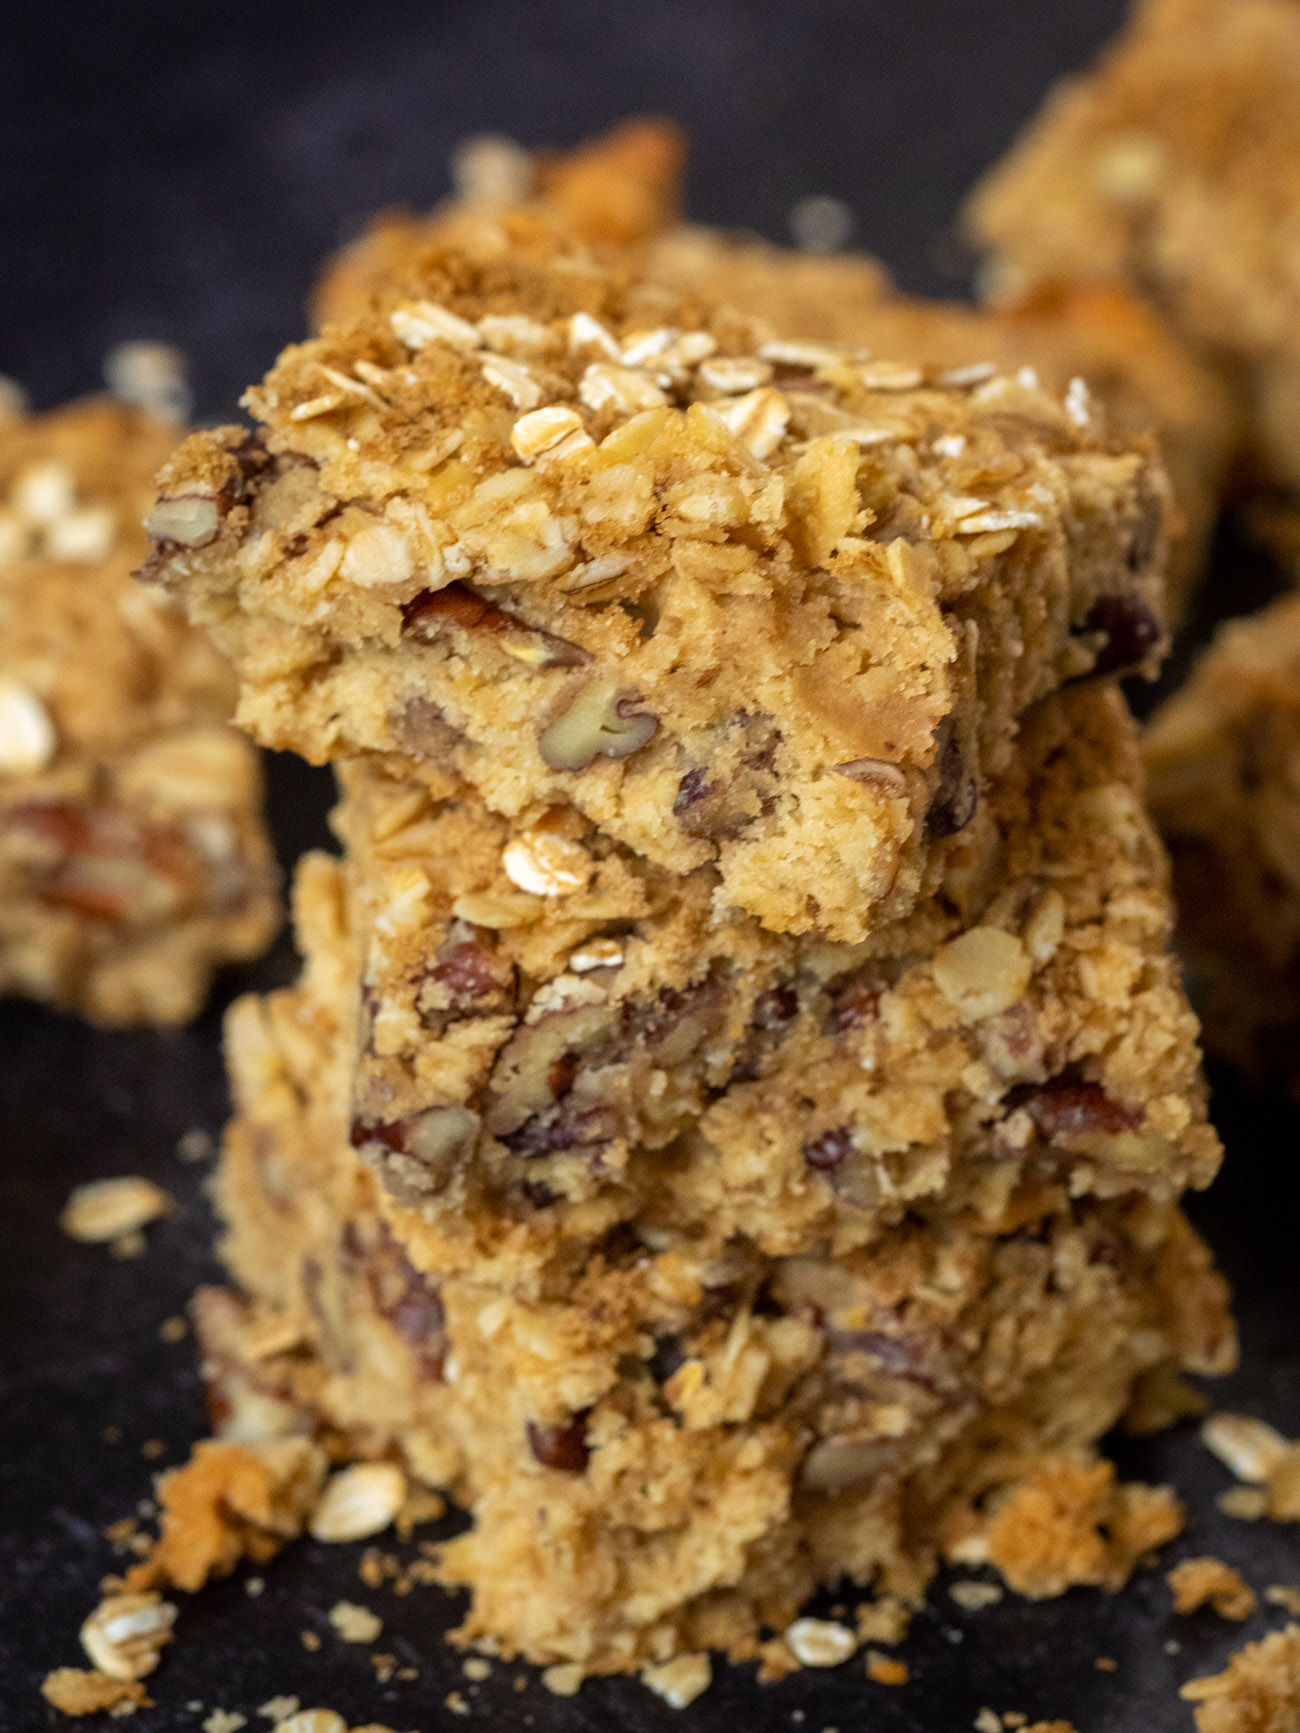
point(133, 859)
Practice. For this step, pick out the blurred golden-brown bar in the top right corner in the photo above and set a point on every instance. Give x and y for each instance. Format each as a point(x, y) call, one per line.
point(1176, 166)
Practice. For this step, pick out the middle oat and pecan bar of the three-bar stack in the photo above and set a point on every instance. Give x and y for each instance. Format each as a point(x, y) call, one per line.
point(556, 1035)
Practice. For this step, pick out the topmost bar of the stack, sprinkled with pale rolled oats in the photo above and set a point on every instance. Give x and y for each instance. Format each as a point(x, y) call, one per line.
point(744, 602)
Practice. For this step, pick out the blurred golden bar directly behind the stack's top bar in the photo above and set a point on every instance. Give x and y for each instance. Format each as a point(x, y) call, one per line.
point(1140, 372)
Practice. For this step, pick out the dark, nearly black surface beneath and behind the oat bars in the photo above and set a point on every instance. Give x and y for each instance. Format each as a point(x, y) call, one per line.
point(178, 172)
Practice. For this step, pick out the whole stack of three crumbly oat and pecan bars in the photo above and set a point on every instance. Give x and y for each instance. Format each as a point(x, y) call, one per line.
point(731, 1124)
